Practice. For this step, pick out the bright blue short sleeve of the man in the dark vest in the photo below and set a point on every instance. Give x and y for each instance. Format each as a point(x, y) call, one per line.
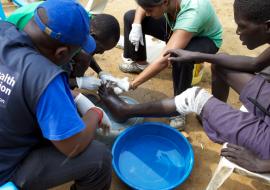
point(56, 111)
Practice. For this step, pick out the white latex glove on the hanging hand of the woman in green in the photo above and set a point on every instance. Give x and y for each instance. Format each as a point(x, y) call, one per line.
point(136, 36)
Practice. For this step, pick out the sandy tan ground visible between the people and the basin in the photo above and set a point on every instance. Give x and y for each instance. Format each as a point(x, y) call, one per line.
point(206, 152)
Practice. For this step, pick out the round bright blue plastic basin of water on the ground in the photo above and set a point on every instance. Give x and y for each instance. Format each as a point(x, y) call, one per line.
point(152, 156)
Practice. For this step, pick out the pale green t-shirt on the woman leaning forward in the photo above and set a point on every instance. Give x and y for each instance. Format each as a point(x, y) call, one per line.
point(198, 17)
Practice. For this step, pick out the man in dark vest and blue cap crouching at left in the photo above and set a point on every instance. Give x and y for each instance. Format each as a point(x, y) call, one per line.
point(43, 140)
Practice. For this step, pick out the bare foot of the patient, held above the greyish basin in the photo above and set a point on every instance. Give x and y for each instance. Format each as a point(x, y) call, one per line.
point(117, 107)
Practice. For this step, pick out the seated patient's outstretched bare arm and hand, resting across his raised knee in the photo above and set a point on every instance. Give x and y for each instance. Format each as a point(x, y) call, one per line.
point(234, 62)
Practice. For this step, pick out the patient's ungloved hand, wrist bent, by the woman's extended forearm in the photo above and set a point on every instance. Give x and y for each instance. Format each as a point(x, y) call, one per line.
point(179, 55)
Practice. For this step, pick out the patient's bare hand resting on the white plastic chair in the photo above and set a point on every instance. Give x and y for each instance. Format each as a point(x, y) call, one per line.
point(243, 157)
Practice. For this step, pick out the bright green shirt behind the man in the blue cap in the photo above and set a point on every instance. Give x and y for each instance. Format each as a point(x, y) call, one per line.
point(21, 16)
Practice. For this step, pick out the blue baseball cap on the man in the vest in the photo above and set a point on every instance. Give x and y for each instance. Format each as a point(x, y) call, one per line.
point(68, 22)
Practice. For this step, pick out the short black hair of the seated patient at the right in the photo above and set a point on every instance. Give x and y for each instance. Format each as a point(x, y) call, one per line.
point(256, 11)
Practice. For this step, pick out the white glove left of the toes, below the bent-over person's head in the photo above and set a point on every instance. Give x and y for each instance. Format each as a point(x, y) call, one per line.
point(90, 83)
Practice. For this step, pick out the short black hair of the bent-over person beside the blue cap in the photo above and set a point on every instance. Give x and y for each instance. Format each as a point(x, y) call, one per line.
point(105, 27)
